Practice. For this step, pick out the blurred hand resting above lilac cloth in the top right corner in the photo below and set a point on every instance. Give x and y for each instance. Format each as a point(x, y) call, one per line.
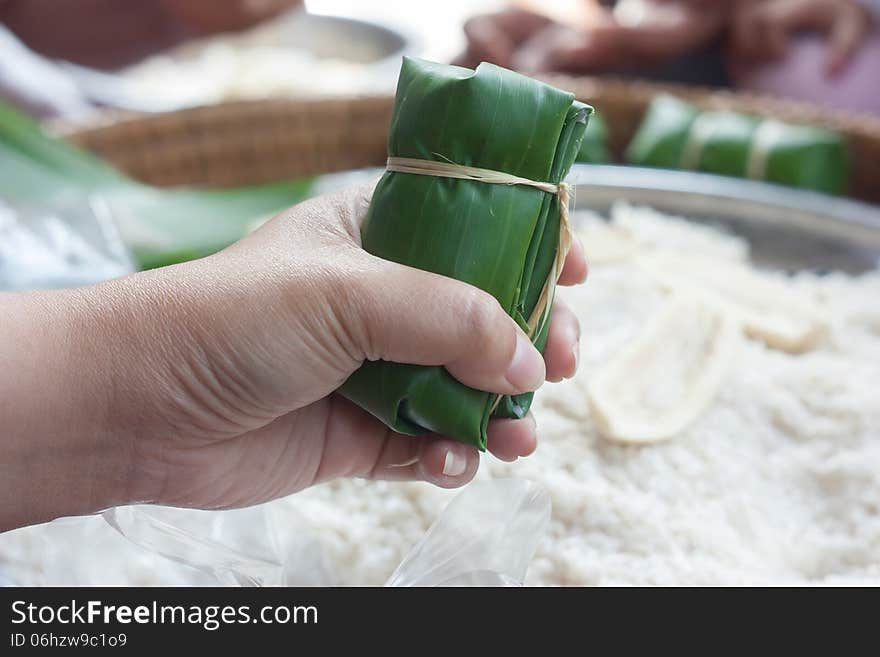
point(762, 30)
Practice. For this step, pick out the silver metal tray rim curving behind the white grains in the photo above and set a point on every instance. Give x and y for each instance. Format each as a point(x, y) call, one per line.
point(787, 228)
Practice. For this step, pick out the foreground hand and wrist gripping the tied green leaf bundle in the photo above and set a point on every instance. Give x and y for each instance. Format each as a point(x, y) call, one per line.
point(218, 376)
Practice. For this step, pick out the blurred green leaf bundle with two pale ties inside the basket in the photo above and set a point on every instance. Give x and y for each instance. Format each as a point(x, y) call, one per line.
point(677, 135)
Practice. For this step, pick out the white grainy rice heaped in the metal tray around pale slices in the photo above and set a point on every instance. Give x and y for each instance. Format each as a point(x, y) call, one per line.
point(777, 481)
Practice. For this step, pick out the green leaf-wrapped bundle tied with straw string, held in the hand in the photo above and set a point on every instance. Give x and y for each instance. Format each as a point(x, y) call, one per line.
point(503, 238)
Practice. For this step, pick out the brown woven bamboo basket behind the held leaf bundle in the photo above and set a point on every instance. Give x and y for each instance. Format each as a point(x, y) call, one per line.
point(252, 142)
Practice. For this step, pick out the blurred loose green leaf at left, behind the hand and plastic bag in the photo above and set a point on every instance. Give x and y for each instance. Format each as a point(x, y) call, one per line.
point(160, 226)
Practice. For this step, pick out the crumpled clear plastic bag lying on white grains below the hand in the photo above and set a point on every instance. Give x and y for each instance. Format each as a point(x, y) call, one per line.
point(486, 536)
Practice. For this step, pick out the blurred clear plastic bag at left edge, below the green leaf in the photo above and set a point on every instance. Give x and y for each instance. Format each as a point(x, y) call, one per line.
point(59, 245)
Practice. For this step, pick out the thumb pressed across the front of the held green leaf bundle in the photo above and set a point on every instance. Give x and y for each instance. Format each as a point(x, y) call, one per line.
point(405, 315)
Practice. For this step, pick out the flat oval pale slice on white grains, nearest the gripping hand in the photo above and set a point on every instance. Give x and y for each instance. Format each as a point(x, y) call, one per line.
point(664, 380)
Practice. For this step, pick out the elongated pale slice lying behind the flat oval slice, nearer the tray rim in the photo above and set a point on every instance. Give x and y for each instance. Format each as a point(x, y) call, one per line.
point(770, 309)
